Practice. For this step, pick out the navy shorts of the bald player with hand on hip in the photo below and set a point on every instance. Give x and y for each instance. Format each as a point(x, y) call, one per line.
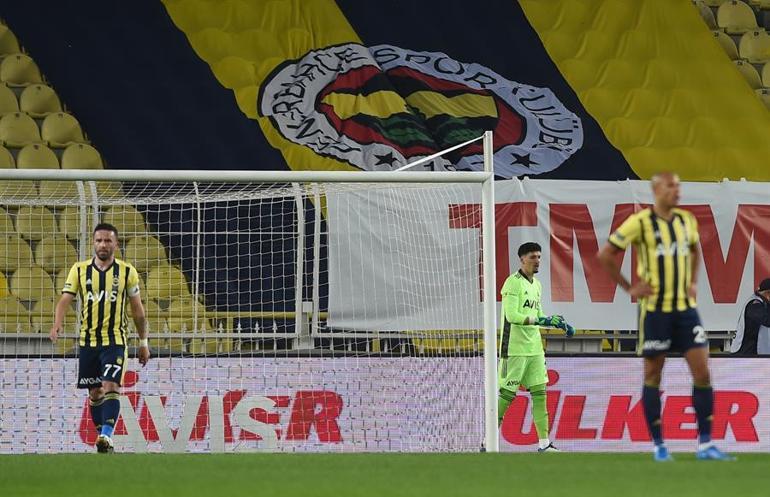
point(678, 331)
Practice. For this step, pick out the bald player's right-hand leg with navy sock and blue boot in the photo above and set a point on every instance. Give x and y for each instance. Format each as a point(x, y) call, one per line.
point(703, 401)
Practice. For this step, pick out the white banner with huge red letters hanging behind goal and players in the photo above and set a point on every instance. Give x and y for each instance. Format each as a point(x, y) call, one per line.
point(571, 220)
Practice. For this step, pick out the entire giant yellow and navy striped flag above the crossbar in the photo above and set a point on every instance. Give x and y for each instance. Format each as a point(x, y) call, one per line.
point(574, 89)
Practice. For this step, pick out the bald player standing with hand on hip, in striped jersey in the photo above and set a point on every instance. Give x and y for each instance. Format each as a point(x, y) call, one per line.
point(666, 238)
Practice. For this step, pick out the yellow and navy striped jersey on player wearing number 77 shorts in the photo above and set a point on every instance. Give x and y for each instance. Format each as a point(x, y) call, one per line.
point(104, 294)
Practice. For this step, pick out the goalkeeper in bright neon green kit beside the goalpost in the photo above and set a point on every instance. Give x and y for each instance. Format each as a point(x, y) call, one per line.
point(522, 359)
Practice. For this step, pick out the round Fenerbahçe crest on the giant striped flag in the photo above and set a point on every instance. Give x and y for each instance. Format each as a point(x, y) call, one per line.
point(381, 107)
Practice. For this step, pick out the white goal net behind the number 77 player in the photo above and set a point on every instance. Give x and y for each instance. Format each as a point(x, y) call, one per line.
point(306, 313)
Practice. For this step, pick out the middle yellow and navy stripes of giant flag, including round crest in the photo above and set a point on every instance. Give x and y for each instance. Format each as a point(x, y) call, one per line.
point(372, 87)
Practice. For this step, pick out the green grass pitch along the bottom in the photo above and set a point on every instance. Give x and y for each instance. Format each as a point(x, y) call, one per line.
point(445, 475)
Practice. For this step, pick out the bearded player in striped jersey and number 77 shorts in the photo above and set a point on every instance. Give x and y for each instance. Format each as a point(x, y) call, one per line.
point(104, 285)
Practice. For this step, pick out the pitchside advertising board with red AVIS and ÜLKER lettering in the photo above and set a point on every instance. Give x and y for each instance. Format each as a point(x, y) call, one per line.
point(371, 405)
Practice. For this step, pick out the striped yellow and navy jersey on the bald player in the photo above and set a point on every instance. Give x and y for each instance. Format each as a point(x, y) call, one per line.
point(664, 256)
